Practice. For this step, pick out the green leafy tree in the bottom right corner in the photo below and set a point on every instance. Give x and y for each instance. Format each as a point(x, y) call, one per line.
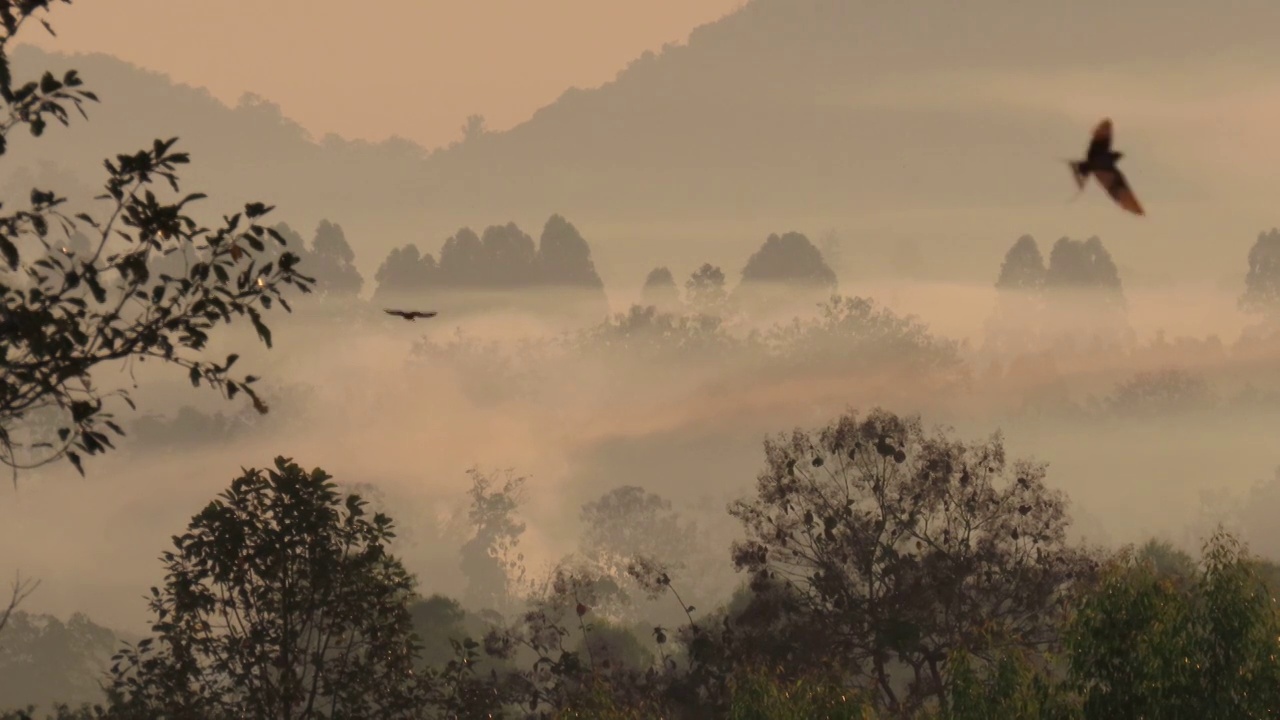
point(1145, 645)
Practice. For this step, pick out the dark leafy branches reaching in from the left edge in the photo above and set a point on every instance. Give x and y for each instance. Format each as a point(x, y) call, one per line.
point(65, 313)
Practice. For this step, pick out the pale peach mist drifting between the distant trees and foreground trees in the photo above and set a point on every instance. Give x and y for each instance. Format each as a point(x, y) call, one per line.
point(1156, 435)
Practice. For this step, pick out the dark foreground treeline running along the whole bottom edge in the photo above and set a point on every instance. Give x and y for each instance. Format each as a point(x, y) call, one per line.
point(894, 571)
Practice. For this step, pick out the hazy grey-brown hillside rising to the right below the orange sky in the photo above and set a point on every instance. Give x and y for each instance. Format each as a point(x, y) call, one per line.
point(941, 130)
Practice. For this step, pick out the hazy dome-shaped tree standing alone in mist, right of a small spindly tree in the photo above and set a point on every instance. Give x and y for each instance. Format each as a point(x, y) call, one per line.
point(787, 271)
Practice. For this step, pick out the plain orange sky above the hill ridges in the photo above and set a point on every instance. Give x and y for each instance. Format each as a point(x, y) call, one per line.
point(414, 69)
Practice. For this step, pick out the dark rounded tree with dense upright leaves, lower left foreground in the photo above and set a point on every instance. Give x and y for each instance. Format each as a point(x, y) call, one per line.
point(280, 601)
